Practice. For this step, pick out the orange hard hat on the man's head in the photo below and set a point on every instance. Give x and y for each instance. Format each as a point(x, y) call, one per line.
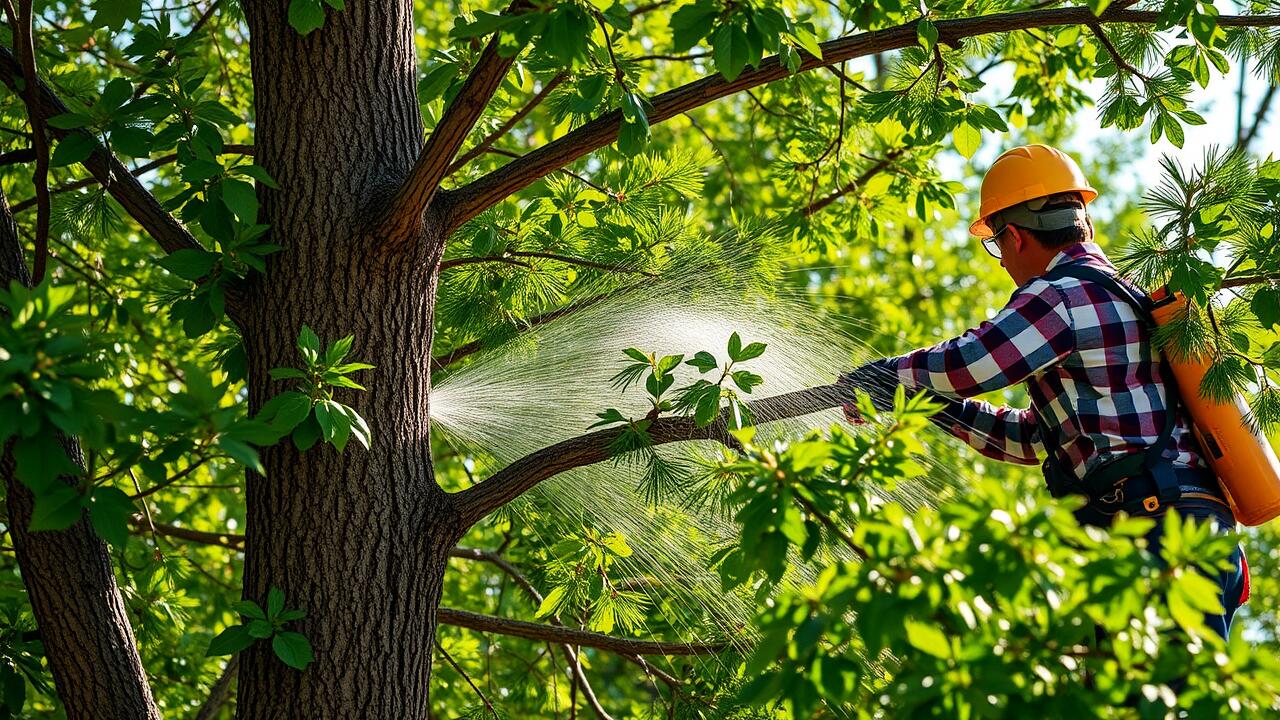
point(1026, 174)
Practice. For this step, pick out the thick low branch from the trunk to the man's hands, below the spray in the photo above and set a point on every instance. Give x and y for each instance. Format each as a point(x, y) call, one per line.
point(518, 479)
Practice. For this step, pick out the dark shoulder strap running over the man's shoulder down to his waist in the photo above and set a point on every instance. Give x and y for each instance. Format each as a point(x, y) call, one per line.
point(1153, 461)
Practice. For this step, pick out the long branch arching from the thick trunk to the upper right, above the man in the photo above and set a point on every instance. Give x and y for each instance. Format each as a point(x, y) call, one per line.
point(473, 199)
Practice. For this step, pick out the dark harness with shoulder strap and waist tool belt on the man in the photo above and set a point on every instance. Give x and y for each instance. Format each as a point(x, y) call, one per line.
point(1139, 484)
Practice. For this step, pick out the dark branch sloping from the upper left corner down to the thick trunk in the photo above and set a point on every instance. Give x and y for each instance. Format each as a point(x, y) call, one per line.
point(108, 170)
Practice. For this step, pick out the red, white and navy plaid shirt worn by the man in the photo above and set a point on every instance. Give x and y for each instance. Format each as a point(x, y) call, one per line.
point(1089, 366)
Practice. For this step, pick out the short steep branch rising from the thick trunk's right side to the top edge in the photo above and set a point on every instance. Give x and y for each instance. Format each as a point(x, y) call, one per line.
point(404, 220)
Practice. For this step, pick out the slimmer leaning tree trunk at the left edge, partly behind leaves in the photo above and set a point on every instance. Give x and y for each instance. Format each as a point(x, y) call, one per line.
point(80, 613)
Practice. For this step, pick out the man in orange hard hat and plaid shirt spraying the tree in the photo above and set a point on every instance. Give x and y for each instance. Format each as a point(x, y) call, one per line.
point(1104, 409)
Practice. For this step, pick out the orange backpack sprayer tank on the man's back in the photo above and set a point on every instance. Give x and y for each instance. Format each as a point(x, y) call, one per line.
point(1238, 452)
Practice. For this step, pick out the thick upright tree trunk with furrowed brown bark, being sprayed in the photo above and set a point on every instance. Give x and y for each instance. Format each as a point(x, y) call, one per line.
point(360, 539)
